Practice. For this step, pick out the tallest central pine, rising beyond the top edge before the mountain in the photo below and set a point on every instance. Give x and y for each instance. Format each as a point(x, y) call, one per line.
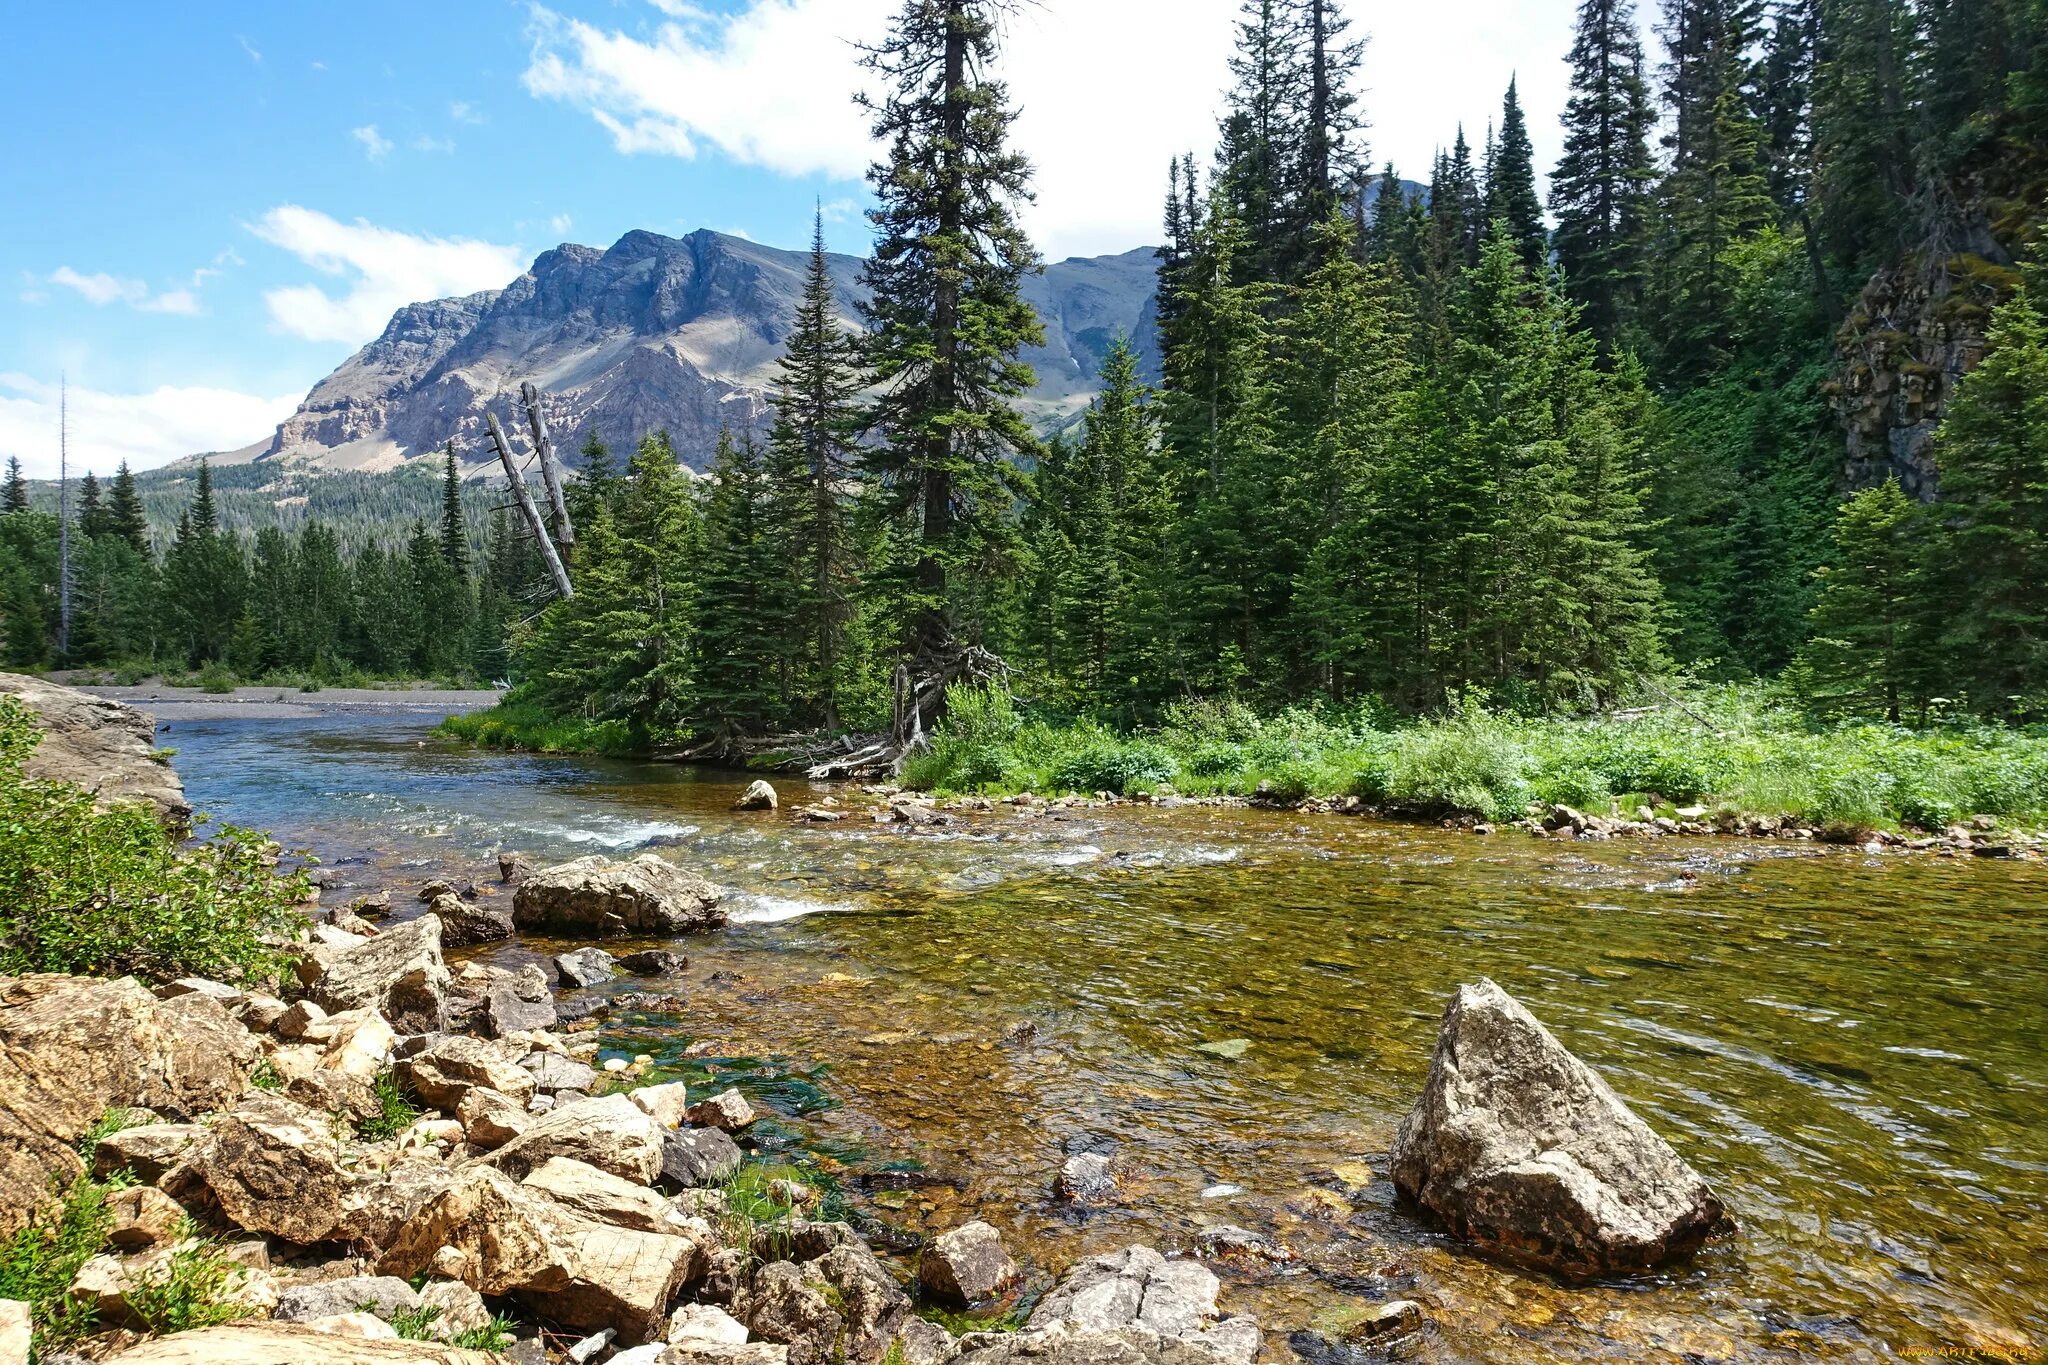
point(945, 314)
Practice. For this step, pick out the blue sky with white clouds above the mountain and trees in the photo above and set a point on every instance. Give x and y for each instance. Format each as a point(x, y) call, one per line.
point(216, 204)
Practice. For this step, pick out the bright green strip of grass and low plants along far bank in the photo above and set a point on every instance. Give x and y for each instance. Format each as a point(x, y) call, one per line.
point(1732, 750)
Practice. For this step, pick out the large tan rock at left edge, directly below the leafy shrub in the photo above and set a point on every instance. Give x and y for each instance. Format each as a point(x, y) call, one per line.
point(75, 1047)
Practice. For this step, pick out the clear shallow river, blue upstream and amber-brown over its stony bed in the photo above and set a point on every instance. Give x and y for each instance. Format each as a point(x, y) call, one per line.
point(1240, 1006)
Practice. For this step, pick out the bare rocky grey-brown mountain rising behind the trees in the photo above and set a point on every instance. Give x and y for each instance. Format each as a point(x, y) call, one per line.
point(658, 333)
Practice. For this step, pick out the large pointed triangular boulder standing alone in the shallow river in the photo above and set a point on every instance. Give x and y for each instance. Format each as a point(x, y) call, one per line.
point(1523, 1149)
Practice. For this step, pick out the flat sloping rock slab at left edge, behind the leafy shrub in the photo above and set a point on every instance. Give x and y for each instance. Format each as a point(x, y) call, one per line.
point(101, 746)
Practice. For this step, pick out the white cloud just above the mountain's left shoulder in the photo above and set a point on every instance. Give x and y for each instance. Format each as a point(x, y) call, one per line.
point(384, 271)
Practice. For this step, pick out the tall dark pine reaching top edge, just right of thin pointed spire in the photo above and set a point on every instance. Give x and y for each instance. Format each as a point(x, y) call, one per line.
point(1601, 191)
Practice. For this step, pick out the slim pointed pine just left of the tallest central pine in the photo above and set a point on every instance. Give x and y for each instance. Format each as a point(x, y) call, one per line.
point(812, 464)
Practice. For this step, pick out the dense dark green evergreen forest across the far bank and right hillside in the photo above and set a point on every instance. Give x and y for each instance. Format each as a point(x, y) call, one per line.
point(1756, 396)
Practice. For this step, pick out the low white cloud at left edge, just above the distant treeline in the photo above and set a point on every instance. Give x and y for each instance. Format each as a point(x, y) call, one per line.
point(142, 429)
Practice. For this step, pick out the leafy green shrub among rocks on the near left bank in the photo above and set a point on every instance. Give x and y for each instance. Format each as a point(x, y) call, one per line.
point(112, 893)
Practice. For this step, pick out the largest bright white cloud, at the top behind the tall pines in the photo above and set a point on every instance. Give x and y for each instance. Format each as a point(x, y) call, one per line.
point(1109, 89)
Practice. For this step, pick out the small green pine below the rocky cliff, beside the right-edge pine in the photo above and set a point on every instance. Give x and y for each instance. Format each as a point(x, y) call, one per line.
point(1869, 646)
